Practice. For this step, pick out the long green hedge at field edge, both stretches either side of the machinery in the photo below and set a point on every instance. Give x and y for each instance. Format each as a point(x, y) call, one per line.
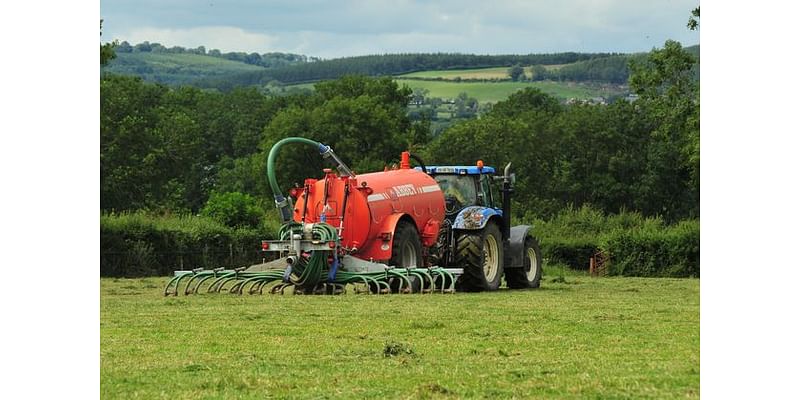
point(142, 245)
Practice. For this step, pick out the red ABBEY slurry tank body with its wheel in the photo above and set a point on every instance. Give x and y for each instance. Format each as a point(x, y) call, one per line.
point(367, 209)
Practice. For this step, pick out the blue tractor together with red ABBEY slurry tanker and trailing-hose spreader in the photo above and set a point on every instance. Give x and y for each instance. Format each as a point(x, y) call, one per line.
point(423, 229)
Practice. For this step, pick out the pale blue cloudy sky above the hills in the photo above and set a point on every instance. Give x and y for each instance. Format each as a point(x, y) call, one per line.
point(331, 29)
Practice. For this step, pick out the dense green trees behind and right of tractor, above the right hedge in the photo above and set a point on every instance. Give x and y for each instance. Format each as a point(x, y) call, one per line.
point(642, 156)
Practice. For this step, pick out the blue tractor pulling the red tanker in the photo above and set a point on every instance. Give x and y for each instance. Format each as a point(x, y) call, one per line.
point(477, 234)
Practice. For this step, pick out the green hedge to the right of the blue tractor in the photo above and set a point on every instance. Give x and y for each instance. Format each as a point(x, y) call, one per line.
point(637, 246)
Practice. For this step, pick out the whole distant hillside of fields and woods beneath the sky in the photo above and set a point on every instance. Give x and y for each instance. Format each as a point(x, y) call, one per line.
point(483, 77)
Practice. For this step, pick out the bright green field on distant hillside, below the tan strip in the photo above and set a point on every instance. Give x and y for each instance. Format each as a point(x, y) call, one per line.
point(497, 91)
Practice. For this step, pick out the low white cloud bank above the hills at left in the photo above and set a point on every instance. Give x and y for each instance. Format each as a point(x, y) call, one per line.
point(224, 38)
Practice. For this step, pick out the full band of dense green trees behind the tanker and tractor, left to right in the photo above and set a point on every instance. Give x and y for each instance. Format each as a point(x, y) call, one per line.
point(169, 150)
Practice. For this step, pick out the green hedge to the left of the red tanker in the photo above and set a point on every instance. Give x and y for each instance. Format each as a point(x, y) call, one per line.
point(142, 245)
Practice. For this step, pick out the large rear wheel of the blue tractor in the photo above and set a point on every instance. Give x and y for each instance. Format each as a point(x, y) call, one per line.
point(473, 250)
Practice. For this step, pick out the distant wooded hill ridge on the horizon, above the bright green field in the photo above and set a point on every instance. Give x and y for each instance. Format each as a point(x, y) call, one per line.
point(224, 71)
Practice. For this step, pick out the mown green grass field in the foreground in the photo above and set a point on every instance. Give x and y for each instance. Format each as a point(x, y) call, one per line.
point(586, 338)
